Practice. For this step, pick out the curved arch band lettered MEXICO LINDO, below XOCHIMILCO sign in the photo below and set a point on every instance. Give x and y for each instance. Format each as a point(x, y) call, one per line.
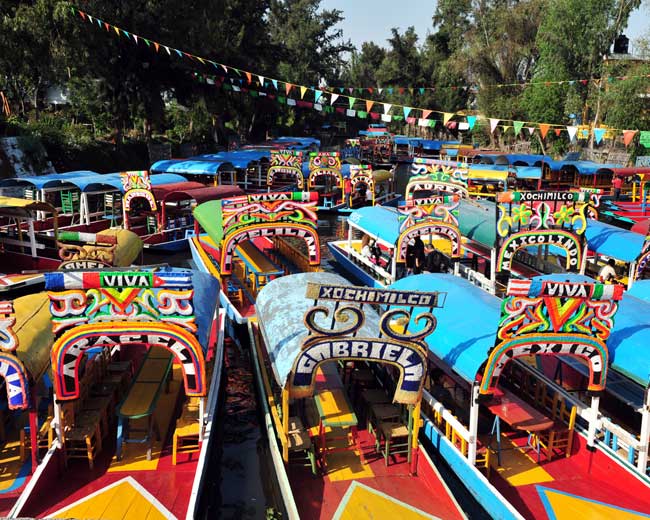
point(553, 237)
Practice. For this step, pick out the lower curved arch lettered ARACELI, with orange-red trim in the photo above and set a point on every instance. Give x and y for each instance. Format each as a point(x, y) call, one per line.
point(68, 350)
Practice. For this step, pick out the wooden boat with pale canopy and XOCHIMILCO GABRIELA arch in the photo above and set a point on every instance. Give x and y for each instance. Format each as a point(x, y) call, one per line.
point(324, 411)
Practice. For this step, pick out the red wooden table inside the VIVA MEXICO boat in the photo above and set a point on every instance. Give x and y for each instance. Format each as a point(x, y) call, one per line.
point(518, 414)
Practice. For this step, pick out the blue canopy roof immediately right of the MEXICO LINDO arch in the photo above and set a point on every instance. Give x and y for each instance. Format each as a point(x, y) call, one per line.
point(613, 241)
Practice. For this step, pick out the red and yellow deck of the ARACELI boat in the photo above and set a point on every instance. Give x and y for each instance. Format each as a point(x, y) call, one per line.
point(146, 489)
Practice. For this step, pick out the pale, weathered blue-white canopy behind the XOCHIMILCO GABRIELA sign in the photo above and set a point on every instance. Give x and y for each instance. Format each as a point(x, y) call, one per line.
point(281, 306)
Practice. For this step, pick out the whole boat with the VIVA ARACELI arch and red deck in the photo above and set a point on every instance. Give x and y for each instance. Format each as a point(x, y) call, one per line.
point(136, 367)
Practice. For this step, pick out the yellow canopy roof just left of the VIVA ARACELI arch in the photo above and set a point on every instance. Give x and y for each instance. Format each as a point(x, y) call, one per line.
point(33, 329)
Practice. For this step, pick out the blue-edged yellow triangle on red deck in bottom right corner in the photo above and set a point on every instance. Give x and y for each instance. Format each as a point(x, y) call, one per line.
point(565, 506)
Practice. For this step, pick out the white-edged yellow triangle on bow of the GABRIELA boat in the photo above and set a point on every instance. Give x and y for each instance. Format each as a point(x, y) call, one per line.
point(362, 502)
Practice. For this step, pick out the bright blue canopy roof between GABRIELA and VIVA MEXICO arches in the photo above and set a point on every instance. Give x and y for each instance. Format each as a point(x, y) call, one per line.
point(467, 324)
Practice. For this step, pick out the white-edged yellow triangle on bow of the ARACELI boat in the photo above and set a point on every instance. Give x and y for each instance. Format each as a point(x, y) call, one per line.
point(124, 499)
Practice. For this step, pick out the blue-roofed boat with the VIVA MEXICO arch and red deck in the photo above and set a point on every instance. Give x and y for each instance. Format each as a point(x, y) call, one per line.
point(523, 440)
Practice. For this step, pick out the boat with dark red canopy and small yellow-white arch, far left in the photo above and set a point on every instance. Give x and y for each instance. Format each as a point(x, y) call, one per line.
point(162, 215)
